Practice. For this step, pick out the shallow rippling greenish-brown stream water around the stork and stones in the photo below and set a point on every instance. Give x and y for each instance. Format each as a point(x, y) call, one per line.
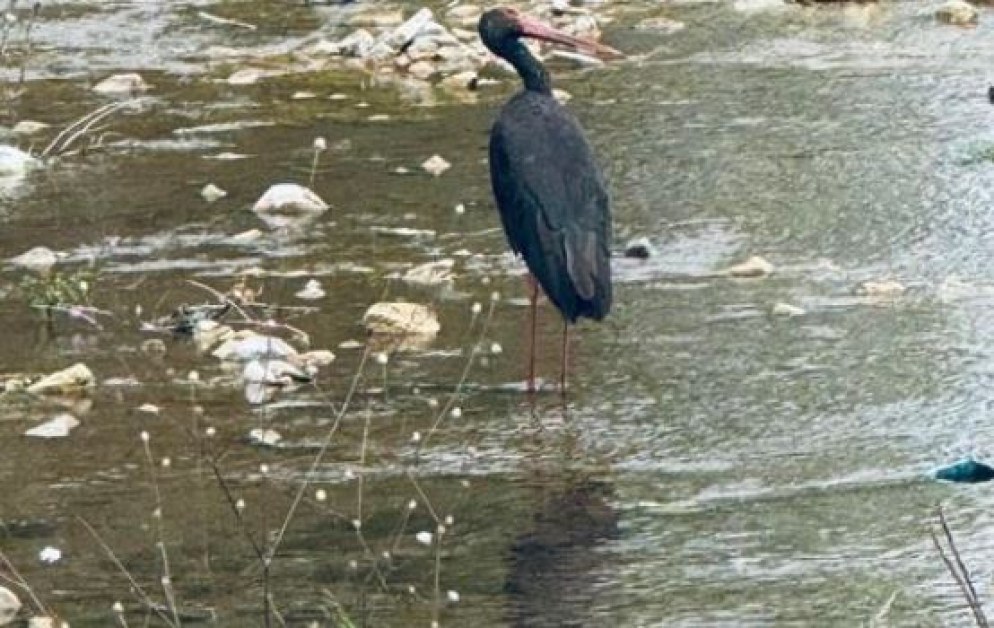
point(719, 465)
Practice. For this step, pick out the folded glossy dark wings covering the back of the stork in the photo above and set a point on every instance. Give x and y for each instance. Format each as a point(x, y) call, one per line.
point(553, 203)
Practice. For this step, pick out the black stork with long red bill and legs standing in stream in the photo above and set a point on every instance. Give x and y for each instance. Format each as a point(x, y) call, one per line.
point(549, 190)
